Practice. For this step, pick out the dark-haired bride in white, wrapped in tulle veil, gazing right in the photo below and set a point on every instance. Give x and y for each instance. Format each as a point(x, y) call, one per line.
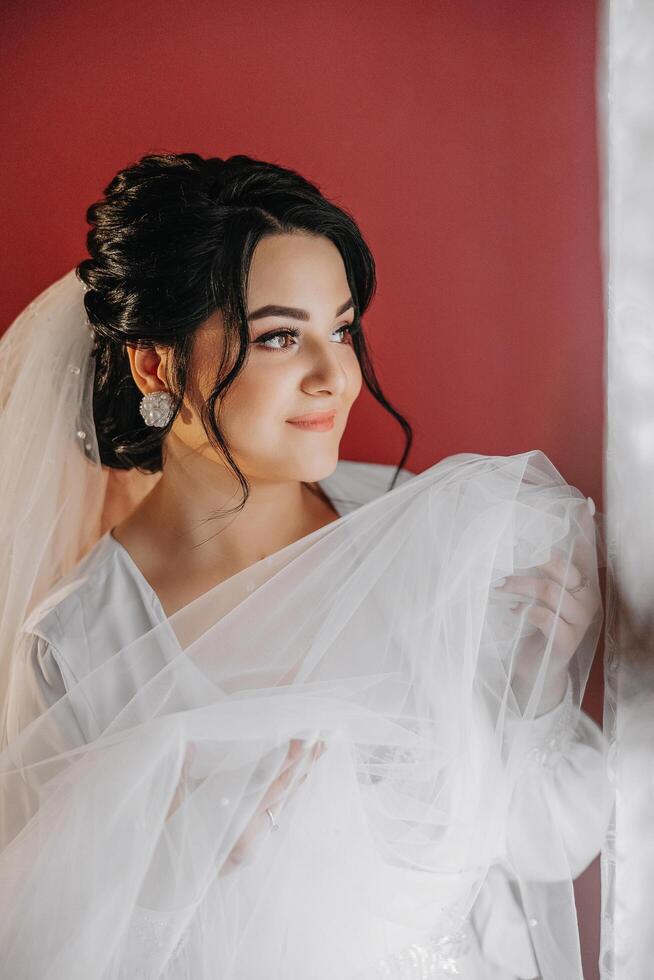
point(268, 713)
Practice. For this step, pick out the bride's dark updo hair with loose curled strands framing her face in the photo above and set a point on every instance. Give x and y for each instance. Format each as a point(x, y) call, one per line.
point(172, 241)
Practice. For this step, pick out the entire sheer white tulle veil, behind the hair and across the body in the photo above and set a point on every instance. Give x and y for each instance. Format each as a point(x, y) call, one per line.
point(442, 793)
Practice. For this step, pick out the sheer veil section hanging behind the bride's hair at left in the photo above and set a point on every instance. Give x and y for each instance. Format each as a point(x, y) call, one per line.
point(55, 496)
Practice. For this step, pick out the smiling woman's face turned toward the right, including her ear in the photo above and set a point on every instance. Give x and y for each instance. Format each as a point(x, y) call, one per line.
point(285, 375)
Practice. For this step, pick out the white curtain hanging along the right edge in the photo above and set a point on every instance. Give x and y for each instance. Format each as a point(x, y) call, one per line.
point(626, 100)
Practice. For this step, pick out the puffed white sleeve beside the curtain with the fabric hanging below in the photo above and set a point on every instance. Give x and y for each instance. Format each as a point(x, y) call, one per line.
point(556, 823)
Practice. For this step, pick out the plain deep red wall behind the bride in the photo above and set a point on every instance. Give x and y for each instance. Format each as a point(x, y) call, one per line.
point(461, 135)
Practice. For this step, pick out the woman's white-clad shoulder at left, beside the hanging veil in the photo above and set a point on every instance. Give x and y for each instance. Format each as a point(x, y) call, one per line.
point(98, 607)
